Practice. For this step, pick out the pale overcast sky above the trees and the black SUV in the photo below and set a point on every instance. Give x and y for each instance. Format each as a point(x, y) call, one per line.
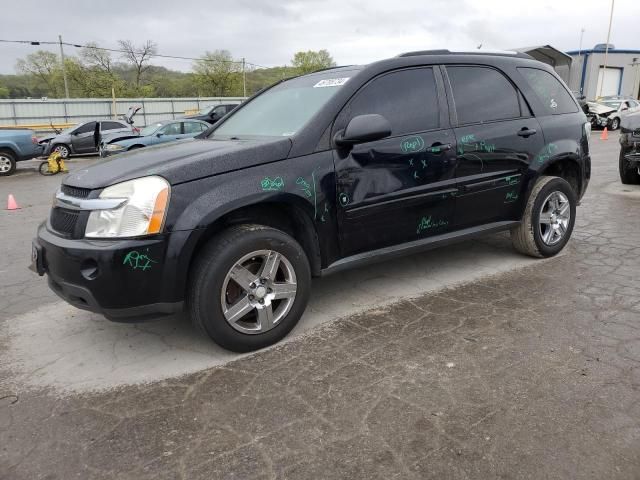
point(359, 31)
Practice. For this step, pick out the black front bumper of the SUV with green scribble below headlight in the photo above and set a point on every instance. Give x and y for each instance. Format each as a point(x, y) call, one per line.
point(124, 279)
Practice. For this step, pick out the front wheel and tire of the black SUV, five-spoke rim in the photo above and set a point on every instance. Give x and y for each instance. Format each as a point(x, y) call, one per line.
point(213, 290)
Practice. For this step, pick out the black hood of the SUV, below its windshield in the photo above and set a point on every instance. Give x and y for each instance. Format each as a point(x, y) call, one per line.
point(182, 161)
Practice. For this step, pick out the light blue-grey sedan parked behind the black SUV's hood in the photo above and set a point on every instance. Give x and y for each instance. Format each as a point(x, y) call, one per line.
point(154, 134)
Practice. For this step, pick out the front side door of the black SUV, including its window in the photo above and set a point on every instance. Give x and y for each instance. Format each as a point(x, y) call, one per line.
point(401, 188)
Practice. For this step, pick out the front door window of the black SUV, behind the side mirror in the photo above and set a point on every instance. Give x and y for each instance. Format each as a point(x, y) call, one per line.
point(407, 98)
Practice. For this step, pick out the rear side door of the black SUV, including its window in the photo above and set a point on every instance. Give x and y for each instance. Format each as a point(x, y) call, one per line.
point(497, 138)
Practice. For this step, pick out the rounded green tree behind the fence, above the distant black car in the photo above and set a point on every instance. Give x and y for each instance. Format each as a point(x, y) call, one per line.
point(217, 74)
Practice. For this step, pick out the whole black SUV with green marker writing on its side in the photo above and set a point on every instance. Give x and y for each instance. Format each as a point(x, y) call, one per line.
point(316, 174)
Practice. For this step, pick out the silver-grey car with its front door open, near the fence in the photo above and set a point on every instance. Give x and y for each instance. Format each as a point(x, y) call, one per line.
point(82, 138)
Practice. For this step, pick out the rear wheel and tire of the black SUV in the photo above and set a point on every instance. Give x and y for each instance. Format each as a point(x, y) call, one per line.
point(537, 239)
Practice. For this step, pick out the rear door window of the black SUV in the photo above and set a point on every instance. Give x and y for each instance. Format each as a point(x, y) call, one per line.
point(482, 94)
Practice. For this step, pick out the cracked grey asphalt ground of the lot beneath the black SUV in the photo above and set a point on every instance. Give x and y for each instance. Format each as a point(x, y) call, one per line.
point(466, 362)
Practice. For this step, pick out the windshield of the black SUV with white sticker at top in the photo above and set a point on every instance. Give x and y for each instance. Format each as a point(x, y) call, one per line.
point(284, 109)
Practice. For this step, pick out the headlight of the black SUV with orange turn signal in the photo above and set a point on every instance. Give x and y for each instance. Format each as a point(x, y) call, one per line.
point(143, 213)
